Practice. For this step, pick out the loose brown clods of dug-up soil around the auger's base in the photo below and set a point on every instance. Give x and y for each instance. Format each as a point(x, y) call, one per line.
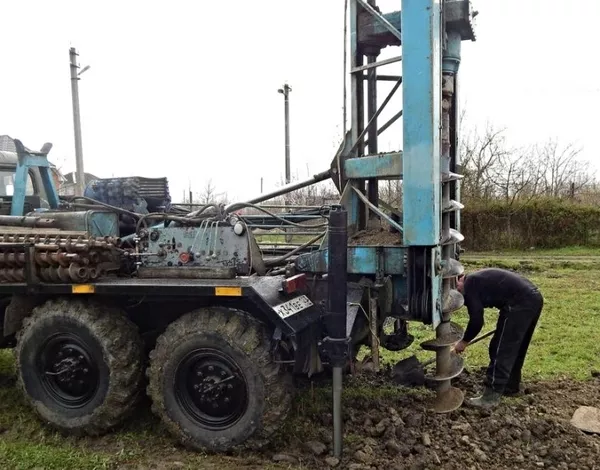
point(399, 432)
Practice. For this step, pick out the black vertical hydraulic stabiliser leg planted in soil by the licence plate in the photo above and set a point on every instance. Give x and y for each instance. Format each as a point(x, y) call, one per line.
point(337, 290)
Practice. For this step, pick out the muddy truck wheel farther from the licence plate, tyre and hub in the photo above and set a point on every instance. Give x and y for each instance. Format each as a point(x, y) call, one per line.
point(80, 365)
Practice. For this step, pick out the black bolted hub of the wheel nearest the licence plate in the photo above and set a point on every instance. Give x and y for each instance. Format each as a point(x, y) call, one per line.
point(211, 388)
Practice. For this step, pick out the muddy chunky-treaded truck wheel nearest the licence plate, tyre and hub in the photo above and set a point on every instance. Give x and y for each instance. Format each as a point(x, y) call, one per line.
point(213, 382)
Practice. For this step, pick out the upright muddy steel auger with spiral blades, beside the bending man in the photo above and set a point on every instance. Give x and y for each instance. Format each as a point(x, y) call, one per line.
point(448, 364)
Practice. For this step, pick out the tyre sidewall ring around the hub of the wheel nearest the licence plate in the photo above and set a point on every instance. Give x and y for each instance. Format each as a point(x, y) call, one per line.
point(194, 434)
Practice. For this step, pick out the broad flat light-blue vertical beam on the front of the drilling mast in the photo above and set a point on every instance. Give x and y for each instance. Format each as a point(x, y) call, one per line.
point(421, 125)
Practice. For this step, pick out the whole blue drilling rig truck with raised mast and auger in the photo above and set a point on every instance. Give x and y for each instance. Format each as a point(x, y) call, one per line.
point(106, 300)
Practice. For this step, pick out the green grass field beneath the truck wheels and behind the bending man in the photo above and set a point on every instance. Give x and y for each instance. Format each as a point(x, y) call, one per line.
point(566, 345)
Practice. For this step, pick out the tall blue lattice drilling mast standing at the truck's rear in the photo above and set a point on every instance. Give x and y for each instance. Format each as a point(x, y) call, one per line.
point(420, 28)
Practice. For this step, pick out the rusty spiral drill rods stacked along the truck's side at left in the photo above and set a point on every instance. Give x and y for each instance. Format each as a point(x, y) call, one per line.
point(59, 256)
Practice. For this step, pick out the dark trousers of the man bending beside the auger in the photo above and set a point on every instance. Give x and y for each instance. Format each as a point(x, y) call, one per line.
point(509, 344)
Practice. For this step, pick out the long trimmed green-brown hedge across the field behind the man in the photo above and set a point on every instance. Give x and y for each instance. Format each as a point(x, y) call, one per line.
point(548, 223)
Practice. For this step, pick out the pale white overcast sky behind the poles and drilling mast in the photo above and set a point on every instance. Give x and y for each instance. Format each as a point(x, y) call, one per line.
point(188, 89)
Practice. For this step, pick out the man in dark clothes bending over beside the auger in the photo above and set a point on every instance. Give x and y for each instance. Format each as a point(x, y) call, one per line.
point(520, 304)
